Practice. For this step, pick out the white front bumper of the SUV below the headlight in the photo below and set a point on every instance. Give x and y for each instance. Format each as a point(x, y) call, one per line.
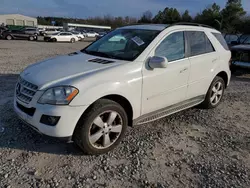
point(69, 116)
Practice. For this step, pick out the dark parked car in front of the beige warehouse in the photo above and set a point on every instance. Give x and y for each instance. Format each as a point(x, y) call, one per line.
point(19, 34)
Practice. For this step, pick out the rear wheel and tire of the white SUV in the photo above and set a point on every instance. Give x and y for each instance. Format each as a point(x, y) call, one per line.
point(215, 94)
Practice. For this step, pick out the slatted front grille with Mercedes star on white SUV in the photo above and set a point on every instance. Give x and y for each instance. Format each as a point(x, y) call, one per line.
point(25, 90)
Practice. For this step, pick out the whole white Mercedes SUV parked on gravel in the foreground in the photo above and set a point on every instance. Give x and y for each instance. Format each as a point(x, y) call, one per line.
point(133, 75)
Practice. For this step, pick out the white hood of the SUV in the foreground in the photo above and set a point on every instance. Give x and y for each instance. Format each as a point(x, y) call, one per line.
point(62, 68)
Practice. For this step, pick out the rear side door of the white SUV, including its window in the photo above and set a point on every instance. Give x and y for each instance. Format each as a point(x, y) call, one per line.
point(203, 57)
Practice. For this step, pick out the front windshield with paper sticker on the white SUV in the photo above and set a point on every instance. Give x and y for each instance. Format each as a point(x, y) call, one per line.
point(124, 44)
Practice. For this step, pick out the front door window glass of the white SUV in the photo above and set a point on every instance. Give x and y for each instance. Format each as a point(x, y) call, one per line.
point(172, 47)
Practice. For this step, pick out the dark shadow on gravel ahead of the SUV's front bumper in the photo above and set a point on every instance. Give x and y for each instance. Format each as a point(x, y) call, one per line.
point(14, 134)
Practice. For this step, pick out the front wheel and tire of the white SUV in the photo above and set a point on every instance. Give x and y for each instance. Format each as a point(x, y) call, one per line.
point(101, 128)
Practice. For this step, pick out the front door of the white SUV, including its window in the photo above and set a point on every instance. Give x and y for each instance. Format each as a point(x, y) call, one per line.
point(163, 87)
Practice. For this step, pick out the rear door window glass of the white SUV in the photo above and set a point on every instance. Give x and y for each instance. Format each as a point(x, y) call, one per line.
point(199, 43)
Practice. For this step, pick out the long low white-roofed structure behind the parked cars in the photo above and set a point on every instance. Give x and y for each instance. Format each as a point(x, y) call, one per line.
point(71, 26)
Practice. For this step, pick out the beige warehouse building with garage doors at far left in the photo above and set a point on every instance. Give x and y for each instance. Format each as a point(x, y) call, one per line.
point(17, 19)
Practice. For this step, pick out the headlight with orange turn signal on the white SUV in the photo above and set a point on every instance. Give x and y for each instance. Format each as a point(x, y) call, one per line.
point(62, 95)
